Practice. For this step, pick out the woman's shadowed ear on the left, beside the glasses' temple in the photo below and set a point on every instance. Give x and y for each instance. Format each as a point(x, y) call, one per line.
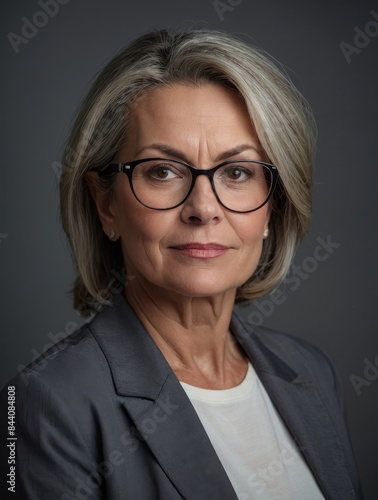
point(104, 205)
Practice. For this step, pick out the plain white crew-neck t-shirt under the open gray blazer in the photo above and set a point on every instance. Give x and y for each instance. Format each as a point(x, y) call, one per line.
point(252, 442)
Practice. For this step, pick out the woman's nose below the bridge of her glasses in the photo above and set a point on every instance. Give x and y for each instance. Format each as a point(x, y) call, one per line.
point(202, 206)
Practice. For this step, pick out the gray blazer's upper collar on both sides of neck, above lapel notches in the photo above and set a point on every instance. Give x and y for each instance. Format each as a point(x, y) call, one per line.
point(129, 354)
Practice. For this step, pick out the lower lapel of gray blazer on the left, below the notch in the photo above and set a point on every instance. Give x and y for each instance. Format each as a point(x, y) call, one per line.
point(180, 444)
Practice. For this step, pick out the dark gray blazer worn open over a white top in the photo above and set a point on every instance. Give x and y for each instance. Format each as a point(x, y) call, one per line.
point(102, 415)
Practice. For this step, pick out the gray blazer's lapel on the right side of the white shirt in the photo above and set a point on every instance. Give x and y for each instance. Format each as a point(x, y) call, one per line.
point(302, 409)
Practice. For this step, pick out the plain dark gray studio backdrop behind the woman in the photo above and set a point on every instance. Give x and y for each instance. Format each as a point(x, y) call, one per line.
point(334, 307)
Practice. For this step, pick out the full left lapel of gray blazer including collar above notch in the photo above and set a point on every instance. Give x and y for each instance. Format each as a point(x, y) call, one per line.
point(159, 407)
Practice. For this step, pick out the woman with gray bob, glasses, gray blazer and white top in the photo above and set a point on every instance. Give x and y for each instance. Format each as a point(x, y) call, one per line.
point(186, 187)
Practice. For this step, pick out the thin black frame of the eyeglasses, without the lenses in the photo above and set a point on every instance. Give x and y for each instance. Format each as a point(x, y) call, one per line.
point(128, 167)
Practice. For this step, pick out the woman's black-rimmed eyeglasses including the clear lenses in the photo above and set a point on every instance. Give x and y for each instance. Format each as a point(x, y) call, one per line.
point(163, 184)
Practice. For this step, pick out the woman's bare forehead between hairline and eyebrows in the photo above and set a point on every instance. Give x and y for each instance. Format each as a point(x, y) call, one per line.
point(188, 116)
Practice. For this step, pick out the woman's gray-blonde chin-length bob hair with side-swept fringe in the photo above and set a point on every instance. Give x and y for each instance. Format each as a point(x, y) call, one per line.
point(279, 114)
